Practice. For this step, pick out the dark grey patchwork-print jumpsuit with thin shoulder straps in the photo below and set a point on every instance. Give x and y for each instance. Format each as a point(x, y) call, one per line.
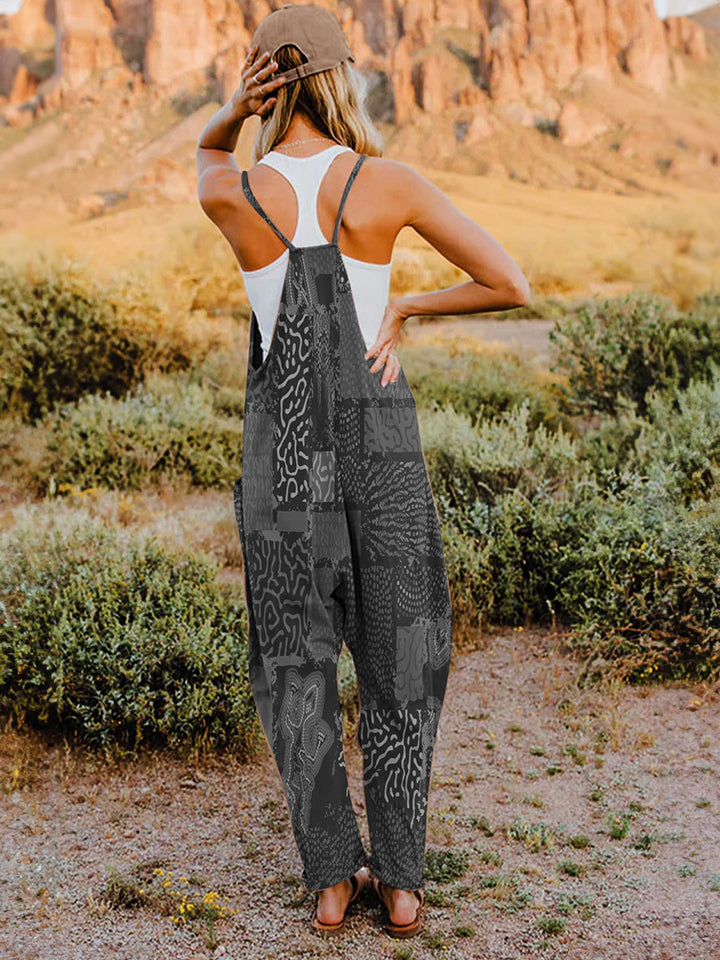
point(341, 542)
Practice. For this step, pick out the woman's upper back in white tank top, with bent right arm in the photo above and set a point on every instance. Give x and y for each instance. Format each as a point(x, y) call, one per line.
point(388, 195)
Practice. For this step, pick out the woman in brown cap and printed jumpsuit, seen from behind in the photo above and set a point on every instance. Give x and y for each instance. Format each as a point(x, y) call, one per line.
point(338, 526)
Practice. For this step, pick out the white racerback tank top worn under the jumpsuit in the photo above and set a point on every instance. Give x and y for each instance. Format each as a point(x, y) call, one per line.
point(369, 282)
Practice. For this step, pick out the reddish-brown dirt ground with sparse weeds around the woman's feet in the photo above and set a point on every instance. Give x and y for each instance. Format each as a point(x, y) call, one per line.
point(530, 773)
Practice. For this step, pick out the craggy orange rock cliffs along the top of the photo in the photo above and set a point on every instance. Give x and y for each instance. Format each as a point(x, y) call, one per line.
point(421, 55)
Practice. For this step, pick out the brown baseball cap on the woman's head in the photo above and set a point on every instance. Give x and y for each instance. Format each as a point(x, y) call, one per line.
point(310, 28)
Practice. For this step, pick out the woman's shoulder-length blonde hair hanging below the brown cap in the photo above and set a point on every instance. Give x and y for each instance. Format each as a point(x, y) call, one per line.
point(333, 100)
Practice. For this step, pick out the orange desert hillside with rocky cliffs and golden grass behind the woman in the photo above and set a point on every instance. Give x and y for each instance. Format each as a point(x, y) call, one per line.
point(590, 123)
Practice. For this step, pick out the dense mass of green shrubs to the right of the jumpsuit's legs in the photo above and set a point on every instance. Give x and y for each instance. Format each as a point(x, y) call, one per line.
point(626, 558)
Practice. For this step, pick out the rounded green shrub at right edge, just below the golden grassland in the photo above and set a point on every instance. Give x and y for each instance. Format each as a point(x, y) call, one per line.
point(620, 348)
